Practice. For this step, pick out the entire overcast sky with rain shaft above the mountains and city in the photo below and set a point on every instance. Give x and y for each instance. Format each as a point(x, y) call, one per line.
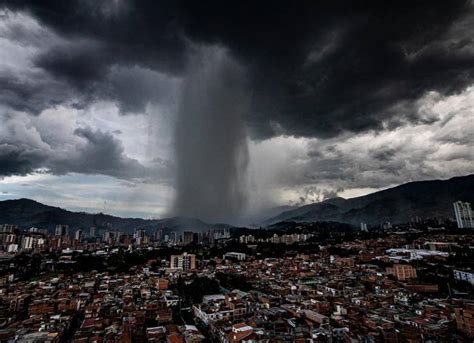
point(222, 109)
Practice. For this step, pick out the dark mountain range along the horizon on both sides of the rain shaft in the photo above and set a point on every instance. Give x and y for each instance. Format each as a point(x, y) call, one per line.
point(424, 199)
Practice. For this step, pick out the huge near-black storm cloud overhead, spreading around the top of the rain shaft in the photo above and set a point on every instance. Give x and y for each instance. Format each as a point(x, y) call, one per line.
point(317, 68)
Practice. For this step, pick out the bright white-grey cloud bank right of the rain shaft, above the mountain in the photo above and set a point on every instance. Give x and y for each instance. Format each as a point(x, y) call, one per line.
point(304, 170)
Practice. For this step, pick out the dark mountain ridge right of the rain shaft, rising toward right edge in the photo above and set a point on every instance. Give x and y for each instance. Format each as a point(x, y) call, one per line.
point(424, 199)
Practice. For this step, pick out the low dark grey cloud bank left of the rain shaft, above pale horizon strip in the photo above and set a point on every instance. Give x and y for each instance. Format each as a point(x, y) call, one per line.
point(89, 151)
